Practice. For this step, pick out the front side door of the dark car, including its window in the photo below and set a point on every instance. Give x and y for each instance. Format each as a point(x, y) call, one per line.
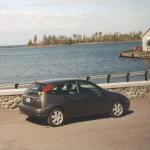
point(93, 97)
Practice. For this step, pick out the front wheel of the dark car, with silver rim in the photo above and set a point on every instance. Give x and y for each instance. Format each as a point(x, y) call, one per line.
point(117, 109)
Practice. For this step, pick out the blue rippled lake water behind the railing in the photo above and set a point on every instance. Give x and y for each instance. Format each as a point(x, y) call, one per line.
point(31, 64)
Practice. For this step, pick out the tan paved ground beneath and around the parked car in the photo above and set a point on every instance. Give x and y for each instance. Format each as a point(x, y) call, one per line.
point(131, 132)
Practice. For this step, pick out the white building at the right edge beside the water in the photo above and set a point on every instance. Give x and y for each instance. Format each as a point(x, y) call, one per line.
point(146, 40)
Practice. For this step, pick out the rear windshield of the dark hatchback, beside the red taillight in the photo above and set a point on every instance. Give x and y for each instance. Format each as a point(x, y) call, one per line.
point(35, 88)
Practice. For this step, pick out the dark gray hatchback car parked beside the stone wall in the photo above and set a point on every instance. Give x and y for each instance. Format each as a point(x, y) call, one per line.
point(59, 99)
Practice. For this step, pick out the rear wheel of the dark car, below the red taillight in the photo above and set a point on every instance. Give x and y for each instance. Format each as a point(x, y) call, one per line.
point(56, 117)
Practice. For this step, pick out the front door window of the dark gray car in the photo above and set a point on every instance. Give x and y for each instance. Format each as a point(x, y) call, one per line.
point(88, 88)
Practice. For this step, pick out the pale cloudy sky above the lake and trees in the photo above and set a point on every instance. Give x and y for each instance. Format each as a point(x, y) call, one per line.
point(20, 20)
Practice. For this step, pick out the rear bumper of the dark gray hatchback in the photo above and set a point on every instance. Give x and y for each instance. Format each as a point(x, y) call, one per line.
point(31, 111)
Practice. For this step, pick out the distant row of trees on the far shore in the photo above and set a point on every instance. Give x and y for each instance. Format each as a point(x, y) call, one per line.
point(78, 38)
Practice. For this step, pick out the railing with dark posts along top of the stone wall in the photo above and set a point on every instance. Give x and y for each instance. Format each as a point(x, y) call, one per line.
point(107, 78)
